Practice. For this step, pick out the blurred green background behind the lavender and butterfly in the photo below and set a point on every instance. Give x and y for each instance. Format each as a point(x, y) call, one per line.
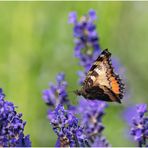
point(36, 43)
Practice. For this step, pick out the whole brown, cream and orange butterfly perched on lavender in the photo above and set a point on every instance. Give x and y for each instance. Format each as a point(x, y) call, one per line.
point(101, 82)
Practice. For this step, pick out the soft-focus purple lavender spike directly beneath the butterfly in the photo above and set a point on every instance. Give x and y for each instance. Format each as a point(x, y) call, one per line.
point(91, 113)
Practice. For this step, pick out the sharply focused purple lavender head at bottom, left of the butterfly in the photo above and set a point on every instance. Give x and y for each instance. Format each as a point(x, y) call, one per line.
point(65, 125)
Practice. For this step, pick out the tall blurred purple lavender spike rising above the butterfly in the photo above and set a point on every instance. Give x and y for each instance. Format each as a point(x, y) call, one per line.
point(86, 38)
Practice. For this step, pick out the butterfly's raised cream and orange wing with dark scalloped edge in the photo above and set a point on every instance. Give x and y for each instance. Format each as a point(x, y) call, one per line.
point(102, 75)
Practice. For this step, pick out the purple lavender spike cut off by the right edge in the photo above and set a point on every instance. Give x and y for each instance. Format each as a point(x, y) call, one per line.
point(139, 129)
